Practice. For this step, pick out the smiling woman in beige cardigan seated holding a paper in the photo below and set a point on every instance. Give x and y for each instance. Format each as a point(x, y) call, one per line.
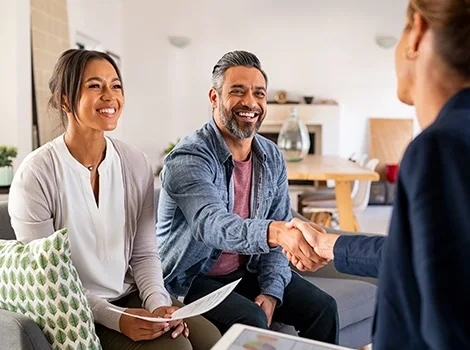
point(101, 190)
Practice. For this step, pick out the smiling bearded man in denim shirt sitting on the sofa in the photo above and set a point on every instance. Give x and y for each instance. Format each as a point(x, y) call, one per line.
point(222, 215)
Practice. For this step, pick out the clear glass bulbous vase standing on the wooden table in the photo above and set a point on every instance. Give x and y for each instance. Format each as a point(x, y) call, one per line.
point(294, 139)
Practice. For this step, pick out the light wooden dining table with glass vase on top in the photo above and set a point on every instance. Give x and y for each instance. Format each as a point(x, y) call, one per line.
point(342, 171)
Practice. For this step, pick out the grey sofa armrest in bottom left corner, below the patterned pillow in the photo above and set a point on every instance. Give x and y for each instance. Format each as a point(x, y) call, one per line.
point(19, 332)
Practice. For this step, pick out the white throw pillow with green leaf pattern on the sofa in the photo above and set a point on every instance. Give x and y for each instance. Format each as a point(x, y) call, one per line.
point(38, 280)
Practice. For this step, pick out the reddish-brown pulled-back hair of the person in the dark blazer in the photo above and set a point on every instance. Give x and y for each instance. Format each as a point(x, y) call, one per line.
point(450, 22)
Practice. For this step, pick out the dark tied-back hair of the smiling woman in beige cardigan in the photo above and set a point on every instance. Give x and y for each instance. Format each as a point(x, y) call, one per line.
point(67, 78)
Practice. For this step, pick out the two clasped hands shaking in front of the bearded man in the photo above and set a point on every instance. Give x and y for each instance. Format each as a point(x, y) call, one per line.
point(306, 244)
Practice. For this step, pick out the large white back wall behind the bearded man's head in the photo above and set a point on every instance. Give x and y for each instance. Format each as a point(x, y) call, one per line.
point(315, 47)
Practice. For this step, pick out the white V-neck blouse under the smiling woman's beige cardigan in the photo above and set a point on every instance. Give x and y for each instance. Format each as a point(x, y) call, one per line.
point(96, 232)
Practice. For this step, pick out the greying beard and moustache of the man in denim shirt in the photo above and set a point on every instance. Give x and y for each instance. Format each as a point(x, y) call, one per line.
point(241, 130)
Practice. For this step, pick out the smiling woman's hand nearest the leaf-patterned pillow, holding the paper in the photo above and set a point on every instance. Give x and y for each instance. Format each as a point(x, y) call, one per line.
point(138, 329)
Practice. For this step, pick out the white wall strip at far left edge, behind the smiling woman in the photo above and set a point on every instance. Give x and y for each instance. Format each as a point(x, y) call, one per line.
point(15, 76)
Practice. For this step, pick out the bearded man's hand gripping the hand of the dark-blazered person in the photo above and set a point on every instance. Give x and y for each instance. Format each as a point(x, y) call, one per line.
point(293, 242)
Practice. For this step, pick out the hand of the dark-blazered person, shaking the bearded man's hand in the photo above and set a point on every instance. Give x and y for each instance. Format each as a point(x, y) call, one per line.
point(322, 243)
